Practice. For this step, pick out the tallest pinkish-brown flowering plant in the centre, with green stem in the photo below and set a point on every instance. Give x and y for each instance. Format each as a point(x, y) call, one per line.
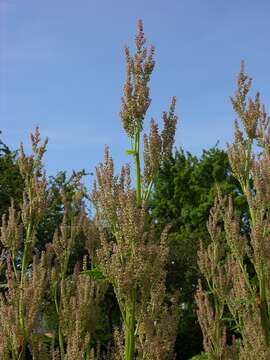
point(134, 256)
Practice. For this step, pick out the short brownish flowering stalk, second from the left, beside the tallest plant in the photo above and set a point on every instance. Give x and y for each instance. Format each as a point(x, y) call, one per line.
point(75, 293)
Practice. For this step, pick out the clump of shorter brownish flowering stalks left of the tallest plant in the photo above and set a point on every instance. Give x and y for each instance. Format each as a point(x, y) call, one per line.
point(48, 309)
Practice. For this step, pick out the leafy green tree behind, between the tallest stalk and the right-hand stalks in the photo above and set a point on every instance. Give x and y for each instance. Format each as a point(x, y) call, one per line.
point(184, 193)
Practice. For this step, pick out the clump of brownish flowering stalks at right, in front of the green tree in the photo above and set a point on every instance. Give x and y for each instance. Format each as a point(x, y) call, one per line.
point(233, 299)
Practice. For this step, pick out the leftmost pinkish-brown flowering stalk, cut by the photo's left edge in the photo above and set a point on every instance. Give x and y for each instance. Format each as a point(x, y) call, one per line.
point(24, 287)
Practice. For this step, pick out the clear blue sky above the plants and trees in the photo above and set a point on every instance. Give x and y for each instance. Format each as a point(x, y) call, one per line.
point(62, 67)
